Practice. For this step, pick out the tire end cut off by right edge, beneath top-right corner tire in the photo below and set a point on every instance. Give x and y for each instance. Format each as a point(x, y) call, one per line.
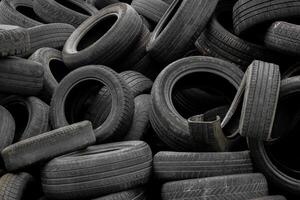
point(284, 38)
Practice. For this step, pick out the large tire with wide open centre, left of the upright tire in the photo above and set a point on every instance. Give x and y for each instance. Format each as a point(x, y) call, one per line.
point(163, 116)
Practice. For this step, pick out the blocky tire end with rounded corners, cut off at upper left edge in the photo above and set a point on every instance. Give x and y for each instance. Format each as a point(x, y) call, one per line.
point(14, 42)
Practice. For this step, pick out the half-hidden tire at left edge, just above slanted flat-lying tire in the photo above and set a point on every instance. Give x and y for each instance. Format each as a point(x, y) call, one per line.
point(30, 115)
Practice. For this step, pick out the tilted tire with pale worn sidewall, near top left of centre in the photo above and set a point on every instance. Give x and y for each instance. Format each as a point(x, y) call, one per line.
point(83, 49)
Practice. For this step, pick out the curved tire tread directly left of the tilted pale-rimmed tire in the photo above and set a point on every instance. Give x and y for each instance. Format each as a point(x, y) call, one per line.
point(49, 35)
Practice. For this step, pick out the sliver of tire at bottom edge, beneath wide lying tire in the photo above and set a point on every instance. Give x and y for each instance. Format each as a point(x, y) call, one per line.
point(137, 194)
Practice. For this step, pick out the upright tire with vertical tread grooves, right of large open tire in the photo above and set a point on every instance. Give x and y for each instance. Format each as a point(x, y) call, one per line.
point(258, 111)
